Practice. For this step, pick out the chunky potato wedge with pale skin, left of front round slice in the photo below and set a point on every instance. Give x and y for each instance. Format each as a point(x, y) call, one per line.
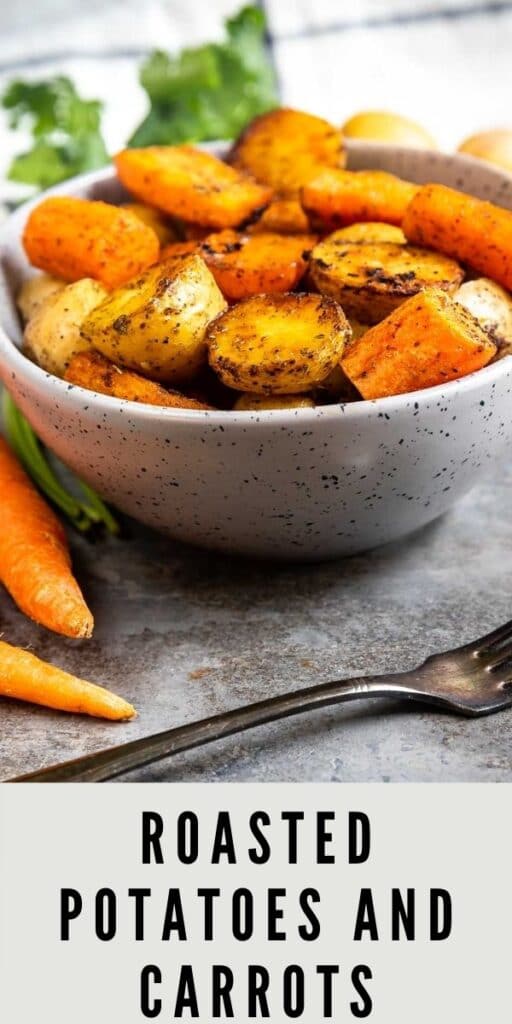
point(156, 324)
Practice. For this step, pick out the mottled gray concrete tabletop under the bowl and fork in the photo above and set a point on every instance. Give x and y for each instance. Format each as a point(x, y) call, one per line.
point(185, 634)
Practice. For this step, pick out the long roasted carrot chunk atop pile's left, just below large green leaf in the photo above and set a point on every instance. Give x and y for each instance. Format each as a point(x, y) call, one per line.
point(190, 184)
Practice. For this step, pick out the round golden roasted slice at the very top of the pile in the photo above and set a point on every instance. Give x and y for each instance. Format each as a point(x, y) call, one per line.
point(285, 149)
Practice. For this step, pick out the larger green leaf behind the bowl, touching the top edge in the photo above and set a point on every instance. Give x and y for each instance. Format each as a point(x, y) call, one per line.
point(211, 92)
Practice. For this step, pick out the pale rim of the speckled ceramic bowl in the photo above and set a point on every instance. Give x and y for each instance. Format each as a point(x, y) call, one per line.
point(19, 366)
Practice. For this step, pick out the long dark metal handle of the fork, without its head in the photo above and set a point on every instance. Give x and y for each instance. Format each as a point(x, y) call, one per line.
point(115, 761)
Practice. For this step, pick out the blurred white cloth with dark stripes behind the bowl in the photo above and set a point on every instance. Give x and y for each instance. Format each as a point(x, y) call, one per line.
point(447, 64)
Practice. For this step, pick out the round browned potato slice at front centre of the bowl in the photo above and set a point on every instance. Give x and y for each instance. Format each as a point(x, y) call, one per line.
point(278, 345)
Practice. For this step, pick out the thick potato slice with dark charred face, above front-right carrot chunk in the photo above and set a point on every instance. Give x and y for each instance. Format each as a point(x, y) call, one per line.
point(370, 281)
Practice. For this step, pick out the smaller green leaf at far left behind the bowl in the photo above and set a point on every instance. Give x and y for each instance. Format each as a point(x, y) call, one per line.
point(66, 130)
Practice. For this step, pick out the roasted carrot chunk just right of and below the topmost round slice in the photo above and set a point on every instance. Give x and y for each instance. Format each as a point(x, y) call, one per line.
point(336, 198)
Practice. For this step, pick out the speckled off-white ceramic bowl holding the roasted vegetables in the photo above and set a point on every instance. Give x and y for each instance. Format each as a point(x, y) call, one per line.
point(303, 485)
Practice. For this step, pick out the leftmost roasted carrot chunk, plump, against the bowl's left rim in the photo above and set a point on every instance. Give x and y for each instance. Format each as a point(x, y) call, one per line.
point(78, 238)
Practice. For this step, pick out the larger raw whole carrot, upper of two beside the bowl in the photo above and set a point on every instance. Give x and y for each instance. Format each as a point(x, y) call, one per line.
point(35, 562)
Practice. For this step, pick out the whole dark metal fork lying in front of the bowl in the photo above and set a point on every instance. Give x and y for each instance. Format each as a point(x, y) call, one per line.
point(473, 680)
